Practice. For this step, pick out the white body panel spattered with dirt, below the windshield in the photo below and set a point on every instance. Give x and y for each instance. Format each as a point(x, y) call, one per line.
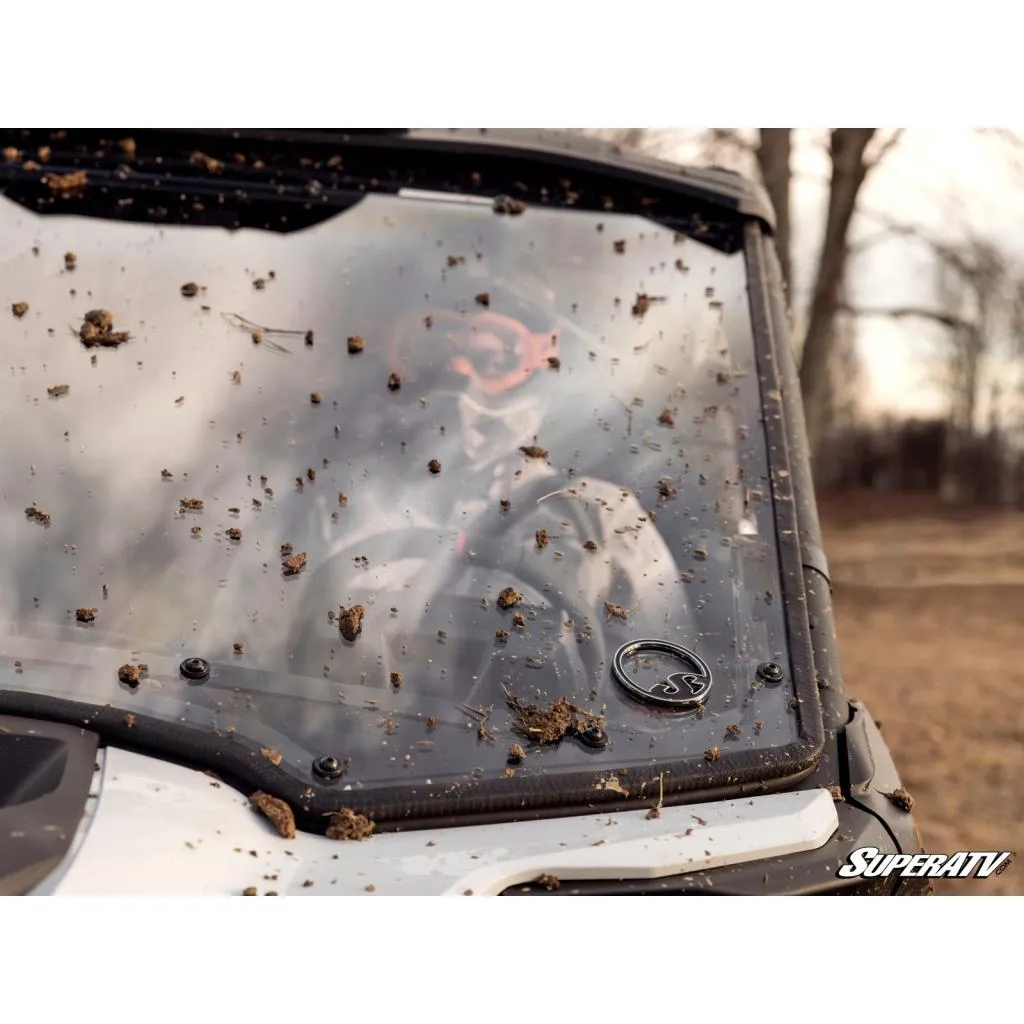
point(161, 830)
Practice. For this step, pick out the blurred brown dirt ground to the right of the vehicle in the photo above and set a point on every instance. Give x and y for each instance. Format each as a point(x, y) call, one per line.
point(930, 616)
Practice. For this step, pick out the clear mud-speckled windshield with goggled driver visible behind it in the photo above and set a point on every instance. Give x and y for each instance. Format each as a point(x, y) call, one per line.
point(432, 405)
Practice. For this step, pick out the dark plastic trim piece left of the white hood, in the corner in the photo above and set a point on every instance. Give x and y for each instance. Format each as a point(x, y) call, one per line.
point(36, 834)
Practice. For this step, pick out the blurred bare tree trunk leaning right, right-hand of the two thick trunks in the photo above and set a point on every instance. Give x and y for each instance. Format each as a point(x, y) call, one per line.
point(849, 172)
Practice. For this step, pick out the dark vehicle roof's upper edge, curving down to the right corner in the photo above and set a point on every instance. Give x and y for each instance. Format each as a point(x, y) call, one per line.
point(715, 186)
